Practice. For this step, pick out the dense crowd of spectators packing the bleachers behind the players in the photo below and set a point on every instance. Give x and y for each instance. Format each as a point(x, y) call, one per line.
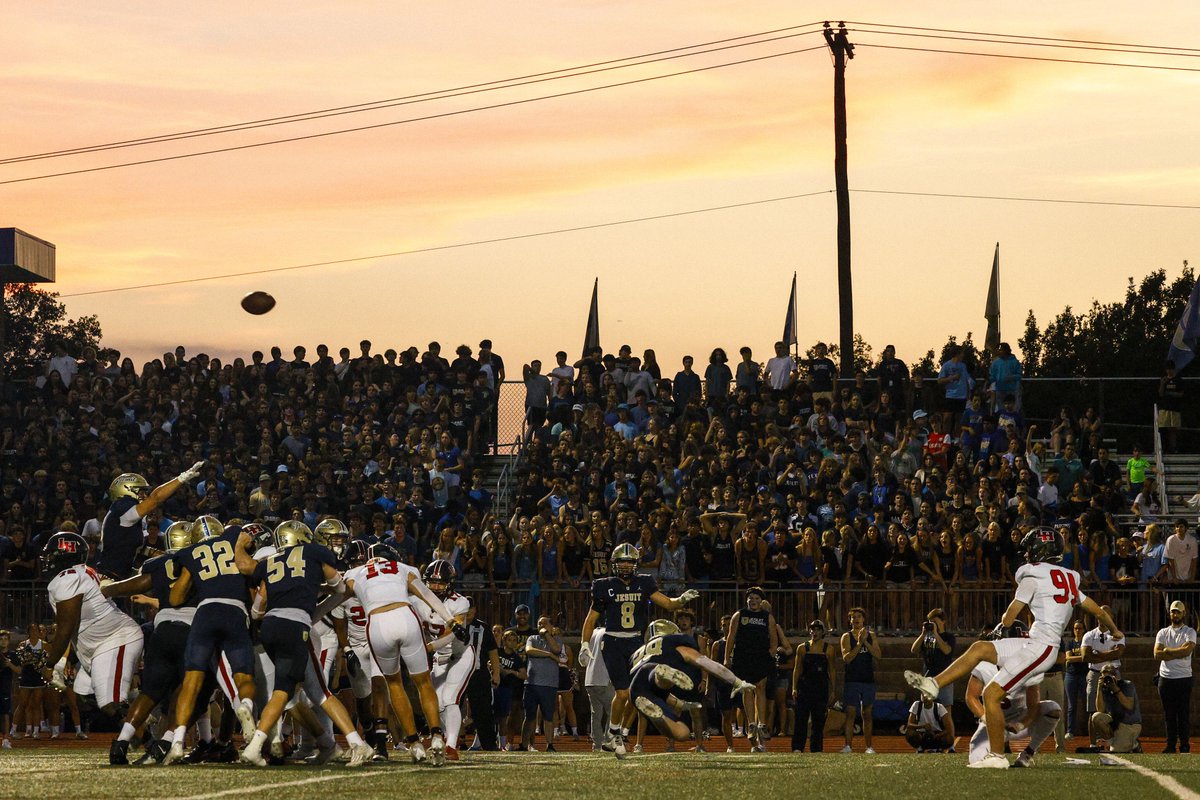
point(773, 476)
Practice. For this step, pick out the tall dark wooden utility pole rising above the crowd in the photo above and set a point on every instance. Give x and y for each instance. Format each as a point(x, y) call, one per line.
point(843, 51)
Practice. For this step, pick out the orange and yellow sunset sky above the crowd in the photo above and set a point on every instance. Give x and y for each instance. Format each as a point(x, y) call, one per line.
point(79, 75)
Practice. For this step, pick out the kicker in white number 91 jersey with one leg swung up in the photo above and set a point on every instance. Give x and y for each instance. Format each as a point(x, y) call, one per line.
point(1052, 593)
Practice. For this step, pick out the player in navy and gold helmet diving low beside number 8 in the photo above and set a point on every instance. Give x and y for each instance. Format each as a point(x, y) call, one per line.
point(668, 672)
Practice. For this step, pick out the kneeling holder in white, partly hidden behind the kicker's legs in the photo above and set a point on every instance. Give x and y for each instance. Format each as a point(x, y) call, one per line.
point(1025, 712)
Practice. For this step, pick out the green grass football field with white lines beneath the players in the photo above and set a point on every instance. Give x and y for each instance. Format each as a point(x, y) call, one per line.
point(50, 774)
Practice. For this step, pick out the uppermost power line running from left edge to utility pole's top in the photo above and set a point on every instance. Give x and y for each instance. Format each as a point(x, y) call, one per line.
point(458, 92)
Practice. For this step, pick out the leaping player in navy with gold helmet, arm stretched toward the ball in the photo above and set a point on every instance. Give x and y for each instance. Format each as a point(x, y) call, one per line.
point(122, 533)
